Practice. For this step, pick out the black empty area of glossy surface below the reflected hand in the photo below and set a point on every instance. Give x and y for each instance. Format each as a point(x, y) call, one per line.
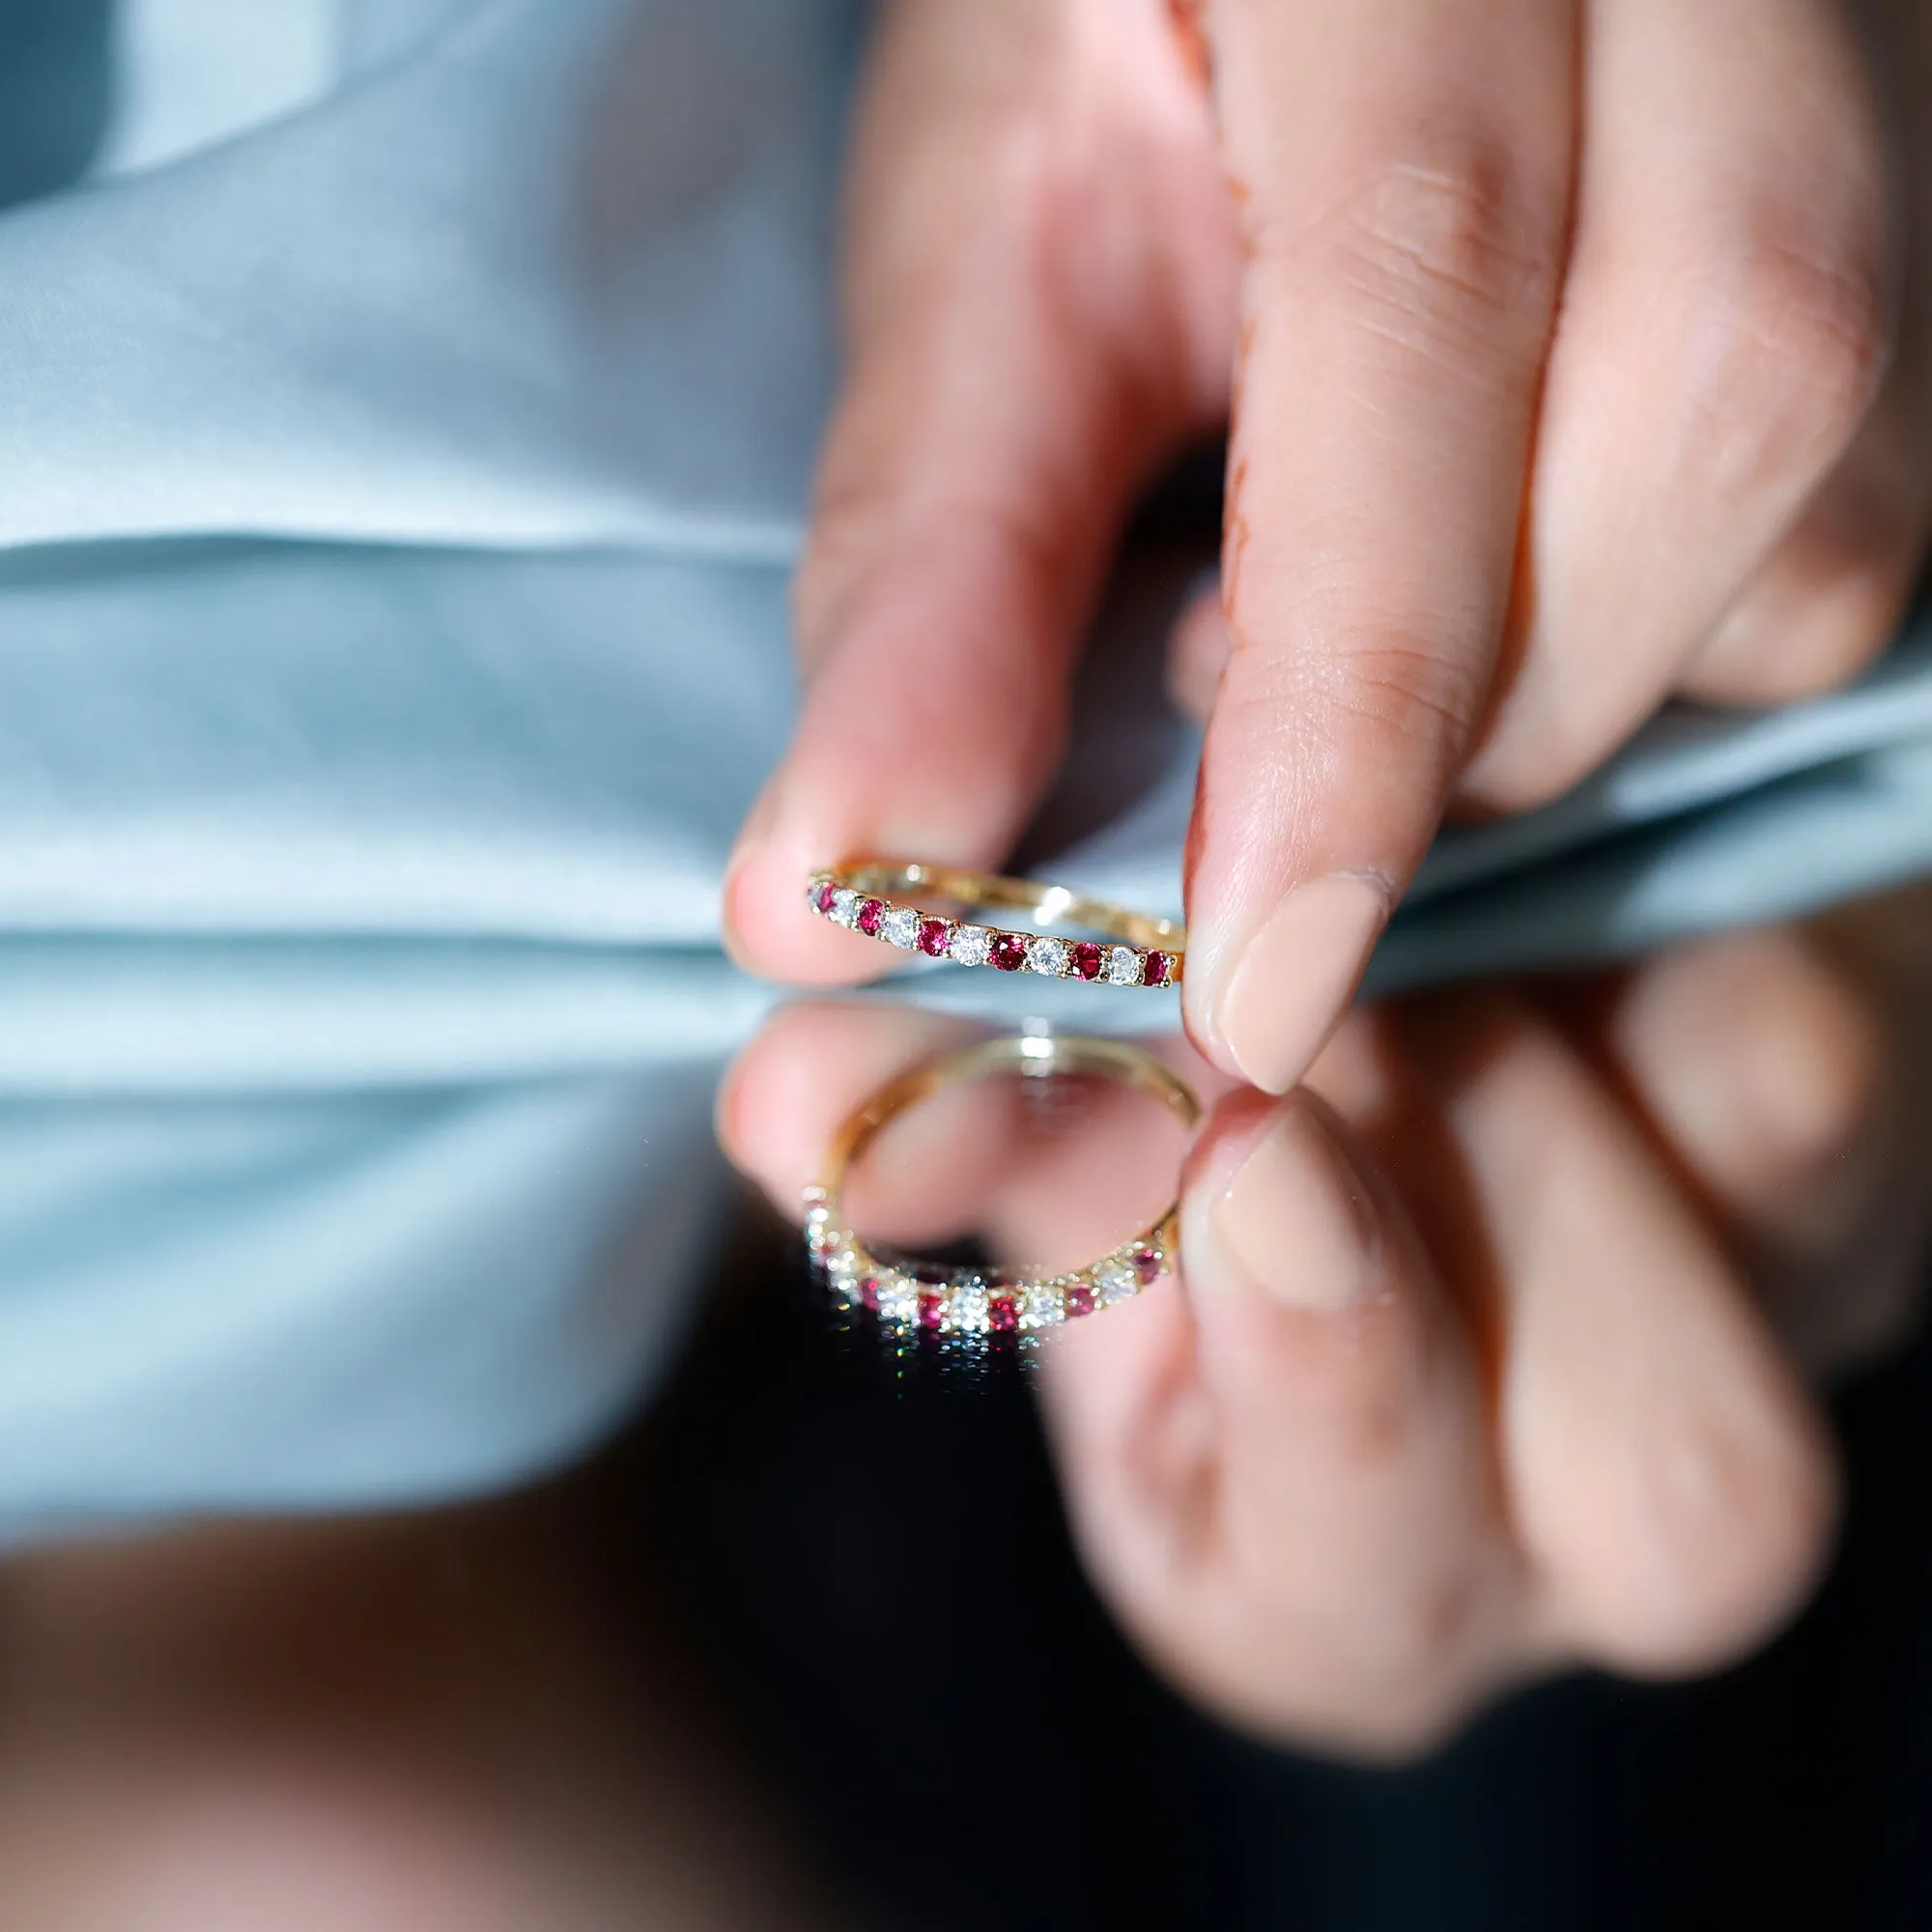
point(870, 1562)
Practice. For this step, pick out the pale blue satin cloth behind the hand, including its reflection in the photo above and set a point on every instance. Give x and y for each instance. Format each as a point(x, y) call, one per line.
point(405, 424)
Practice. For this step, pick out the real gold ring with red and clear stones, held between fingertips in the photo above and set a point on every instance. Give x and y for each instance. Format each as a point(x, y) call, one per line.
point(1139, 950)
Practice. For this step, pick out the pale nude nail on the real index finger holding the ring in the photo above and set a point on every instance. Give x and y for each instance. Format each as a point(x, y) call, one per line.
point(1295, 977)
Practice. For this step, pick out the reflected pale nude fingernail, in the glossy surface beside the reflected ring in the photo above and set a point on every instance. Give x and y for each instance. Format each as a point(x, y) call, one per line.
point(1295, 1220)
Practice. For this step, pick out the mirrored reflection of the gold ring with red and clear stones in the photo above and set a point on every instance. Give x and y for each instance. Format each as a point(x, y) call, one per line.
point(979, 1301)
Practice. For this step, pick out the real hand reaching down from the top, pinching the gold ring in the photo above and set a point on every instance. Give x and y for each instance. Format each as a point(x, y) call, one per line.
point(1576, 355)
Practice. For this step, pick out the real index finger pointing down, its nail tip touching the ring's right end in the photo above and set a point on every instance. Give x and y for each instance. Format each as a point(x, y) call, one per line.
point(1404, 171)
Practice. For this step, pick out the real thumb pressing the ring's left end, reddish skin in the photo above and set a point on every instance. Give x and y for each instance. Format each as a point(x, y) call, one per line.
point(1029, 337)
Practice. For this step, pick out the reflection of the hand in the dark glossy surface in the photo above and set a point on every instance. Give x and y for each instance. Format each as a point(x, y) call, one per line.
point(1487, 1357)
